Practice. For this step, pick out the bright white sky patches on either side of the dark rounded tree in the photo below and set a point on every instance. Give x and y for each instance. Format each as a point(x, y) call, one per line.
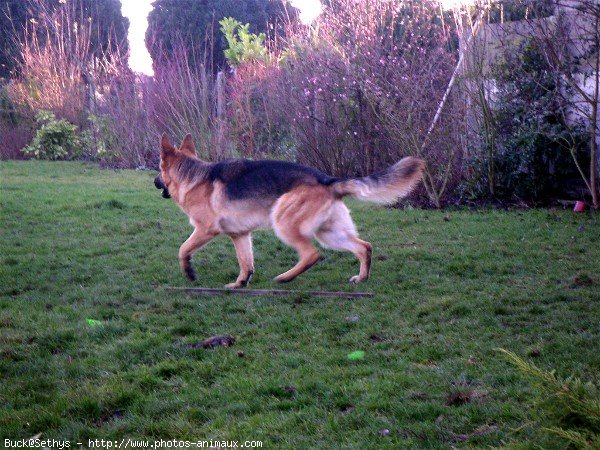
point(137, 12)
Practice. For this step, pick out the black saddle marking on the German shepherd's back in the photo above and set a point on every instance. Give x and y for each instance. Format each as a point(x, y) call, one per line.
point(245, 178)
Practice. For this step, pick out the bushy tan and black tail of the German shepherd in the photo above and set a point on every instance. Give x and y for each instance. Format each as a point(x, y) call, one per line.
point(386, 186)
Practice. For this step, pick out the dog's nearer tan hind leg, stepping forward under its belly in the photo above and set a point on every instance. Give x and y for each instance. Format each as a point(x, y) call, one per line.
point(295, 217)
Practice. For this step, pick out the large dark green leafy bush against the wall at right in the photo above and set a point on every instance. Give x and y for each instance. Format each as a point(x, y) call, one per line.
point(532, 141)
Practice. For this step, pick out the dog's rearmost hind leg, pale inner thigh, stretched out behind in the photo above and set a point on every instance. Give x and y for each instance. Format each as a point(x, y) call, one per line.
point(339, 233)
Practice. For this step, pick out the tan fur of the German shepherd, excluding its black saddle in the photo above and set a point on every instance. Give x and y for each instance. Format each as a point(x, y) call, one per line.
point(301, 215)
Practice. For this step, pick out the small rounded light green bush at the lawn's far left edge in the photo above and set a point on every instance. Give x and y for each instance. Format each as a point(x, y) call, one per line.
point(55, 139)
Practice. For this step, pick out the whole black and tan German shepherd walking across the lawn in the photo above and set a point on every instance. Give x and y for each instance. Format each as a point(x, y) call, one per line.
point(299, 203)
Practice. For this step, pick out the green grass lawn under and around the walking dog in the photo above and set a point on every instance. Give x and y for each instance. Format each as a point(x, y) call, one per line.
point(450, 287)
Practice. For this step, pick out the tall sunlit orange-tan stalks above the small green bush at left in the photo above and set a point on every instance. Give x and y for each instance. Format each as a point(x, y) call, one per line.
point(59, 69)
